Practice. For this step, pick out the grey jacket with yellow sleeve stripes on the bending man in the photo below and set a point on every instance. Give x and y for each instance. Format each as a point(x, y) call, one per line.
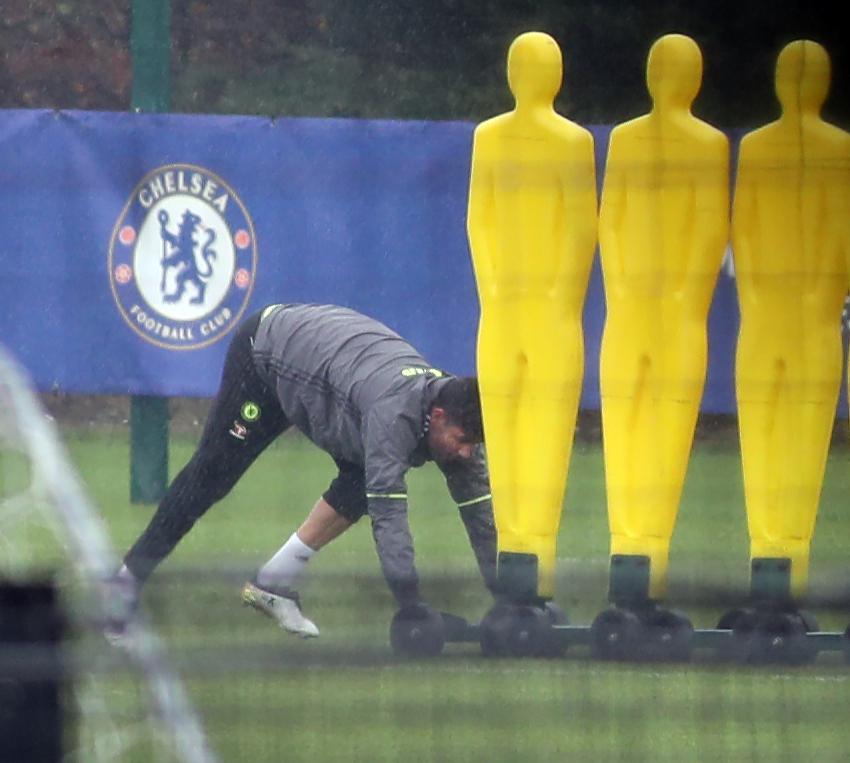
point(363, 394)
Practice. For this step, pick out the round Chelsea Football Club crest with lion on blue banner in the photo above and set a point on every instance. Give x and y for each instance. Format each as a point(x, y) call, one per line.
point(182, 258)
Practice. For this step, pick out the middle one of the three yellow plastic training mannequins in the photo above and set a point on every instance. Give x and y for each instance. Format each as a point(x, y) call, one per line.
point(663, 228)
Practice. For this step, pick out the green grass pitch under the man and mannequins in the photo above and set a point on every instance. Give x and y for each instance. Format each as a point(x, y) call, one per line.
point(266, 697)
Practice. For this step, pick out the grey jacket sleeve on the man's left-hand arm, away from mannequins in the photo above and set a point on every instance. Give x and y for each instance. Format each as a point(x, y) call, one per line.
point(388, 441)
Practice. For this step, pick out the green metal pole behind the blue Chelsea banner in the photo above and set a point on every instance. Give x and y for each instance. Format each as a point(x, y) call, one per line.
point(150, 45)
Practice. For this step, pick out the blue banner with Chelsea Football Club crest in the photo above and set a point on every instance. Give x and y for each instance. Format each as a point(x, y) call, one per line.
point(135, 242)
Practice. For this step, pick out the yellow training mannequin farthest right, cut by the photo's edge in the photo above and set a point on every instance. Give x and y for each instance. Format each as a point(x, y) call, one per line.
point(789, 232)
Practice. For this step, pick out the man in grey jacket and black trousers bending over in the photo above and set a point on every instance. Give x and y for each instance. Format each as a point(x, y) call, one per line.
point(365, 396)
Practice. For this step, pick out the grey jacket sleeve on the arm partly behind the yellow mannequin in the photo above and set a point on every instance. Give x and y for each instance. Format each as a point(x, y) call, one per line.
point(469, 486)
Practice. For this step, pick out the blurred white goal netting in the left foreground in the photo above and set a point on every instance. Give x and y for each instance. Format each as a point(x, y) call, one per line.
point(129, 704)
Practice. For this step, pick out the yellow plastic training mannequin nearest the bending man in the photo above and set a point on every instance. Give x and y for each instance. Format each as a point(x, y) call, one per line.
point(532, 234)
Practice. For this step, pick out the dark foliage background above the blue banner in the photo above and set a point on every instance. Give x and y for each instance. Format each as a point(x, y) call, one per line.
point(408, 59)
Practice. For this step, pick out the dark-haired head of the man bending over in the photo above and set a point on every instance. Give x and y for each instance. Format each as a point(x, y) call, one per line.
point(456, 426)
